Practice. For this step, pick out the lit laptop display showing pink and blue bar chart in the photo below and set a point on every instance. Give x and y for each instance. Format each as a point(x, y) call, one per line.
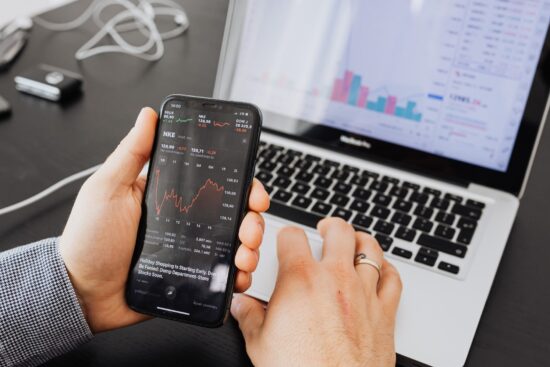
point(450, 78)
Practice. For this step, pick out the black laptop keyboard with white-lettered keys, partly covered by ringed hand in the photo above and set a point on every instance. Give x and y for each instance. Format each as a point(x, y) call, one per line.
point(305, 188)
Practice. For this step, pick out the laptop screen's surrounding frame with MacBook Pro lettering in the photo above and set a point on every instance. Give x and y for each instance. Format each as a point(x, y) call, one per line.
point(364, 147)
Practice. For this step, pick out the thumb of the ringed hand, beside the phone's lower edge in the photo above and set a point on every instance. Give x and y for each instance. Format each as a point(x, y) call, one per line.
point(250, 315)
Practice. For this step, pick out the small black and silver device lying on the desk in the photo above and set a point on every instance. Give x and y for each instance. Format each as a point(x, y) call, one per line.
point(49, 82)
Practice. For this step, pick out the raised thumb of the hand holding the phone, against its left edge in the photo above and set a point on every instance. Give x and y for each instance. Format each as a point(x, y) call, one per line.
point(126, 162)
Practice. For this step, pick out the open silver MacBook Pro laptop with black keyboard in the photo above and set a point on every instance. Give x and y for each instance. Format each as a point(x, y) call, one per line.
point(416, 121)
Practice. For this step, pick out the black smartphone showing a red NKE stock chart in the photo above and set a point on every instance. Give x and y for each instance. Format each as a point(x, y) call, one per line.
point(200, 174)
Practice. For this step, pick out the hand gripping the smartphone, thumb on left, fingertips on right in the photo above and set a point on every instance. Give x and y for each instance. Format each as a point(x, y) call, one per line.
point(100, 235)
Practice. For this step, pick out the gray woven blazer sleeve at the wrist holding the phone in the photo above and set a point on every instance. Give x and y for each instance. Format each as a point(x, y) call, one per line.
point(40, 317)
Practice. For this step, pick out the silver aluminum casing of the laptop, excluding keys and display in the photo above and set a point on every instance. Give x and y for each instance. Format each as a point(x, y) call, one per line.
point(439, 312)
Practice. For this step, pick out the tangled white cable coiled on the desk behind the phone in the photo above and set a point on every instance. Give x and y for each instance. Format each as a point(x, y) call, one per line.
point(140, 16)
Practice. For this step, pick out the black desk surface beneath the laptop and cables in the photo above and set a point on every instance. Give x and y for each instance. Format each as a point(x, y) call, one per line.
point(44, 142)
